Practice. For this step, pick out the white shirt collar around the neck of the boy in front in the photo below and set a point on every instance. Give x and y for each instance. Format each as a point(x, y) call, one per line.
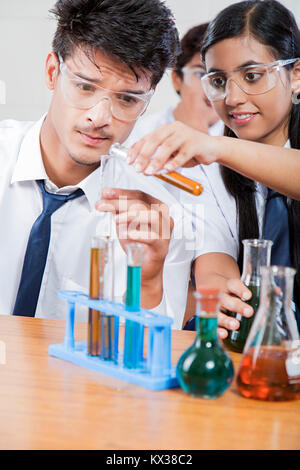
point(30, 167)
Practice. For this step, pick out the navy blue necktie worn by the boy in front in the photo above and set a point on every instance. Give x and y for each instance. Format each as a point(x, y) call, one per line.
point(36, 253)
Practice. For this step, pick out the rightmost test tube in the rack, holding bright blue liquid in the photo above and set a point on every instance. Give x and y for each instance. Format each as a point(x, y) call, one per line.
point(134, 332)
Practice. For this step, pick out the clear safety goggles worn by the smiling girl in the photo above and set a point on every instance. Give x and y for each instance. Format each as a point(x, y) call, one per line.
point(252, 79)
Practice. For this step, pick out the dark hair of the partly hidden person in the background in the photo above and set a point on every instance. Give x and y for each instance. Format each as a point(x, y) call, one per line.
point(191, 44)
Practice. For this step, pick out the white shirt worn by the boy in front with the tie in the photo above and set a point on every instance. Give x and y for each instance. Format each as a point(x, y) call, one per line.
point(72, 227)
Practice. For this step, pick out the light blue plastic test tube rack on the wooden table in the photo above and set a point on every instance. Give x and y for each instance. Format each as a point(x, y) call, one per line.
point(155, 371)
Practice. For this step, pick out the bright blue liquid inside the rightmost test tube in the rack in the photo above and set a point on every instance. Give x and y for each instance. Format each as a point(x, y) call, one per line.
point(134, 332)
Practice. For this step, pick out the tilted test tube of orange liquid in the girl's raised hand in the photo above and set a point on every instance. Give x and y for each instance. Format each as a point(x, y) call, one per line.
point(174, 178)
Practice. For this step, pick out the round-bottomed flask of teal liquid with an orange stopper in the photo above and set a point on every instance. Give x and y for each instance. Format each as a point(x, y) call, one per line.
point(205, 369)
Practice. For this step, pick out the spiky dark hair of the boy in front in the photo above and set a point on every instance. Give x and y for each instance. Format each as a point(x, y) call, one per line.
point(140, 33)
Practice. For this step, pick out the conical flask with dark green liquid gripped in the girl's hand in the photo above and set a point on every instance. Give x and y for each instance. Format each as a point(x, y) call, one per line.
point(257, 253)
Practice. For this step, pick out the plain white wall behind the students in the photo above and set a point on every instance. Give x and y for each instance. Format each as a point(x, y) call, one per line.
point(26, 31)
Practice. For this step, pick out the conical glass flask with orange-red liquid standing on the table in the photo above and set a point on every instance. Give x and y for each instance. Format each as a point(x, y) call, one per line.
point(270, 366)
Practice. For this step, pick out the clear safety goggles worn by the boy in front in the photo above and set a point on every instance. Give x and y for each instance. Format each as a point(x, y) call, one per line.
point(84, 94)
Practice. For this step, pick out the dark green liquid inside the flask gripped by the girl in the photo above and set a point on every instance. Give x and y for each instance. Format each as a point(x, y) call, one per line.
point(236, 339)
